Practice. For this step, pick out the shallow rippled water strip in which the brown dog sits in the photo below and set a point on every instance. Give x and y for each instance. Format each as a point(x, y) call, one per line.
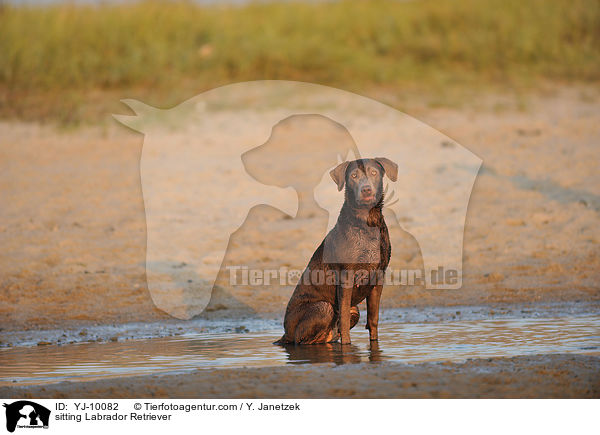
point(400, 342)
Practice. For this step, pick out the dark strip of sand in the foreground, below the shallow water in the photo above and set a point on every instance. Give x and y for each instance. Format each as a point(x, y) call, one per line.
point(550, 376)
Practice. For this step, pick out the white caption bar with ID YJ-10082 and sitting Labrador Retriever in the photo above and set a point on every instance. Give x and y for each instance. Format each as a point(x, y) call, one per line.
point(290, 416)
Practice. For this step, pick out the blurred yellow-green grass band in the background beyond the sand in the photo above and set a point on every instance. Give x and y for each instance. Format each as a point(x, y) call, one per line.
point(55, 60)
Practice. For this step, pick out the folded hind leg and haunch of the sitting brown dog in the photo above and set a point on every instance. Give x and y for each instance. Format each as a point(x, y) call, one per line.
point(316, 325)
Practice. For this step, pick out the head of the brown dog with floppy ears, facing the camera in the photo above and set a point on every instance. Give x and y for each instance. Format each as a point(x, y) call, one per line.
point(364, 180)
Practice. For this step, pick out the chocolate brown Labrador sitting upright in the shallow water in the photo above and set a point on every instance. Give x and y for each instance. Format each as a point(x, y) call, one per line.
point(349, 264)
